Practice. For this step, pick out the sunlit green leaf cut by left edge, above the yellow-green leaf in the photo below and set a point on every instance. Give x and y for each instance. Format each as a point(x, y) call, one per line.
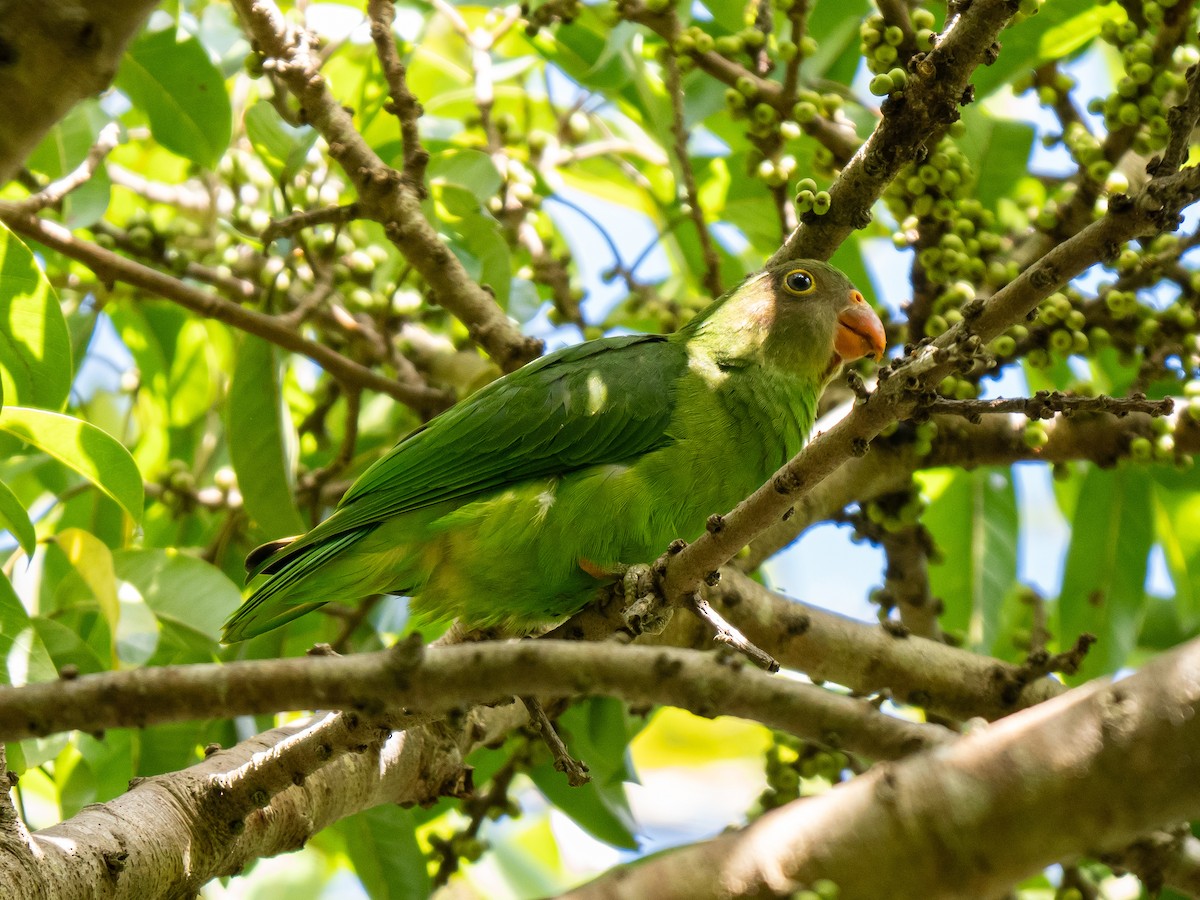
point(35, 347)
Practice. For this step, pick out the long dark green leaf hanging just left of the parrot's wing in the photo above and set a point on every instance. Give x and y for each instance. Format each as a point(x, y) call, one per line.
point(260, 441)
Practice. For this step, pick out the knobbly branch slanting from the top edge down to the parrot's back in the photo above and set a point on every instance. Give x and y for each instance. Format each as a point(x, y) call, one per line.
point(385, 195)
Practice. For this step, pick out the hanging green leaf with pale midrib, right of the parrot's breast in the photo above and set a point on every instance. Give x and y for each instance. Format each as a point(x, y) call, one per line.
point(973, 517)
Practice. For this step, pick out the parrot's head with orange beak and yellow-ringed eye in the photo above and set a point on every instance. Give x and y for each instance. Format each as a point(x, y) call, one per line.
point(801, 315)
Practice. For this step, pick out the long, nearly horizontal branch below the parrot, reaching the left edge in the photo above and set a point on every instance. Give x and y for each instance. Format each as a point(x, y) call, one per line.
point(448, 679)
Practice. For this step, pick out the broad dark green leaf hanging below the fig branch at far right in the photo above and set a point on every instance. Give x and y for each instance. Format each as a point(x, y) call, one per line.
point(1103, 584)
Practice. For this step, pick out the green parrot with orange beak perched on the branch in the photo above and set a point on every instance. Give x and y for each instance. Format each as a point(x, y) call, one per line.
point(514, 507)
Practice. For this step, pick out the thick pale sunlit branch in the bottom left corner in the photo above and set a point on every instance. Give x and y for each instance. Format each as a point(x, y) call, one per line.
point(173, 833)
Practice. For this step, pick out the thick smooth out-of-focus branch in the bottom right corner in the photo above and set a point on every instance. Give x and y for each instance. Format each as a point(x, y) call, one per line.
point(1083, 773)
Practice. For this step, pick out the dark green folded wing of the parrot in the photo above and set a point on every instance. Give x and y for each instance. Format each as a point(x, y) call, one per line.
point(599, 403)
